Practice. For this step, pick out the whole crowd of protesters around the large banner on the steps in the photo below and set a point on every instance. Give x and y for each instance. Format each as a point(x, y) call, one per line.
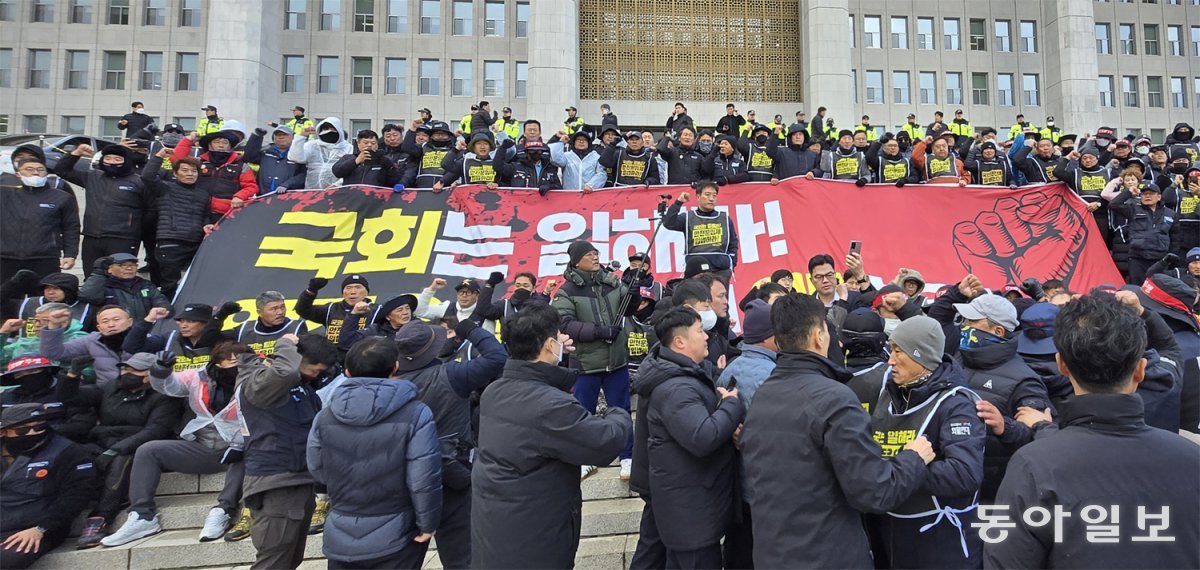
point(868, 424)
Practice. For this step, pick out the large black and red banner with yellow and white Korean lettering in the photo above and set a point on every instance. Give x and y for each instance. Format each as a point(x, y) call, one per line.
point(401, 241)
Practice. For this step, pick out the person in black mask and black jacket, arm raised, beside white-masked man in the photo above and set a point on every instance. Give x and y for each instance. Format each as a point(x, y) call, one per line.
point(118, 201)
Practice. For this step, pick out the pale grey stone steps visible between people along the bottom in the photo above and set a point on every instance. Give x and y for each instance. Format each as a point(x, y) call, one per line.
point(611, 518)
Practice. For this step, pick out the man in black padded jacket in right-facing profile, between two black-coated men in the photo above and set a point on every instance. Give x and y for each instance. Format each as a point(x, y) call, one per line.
point(689, 443)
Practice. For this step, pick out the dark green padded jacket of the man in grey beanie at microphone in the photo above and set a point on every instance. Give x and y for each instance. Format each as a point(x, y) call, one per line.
point(589, 301)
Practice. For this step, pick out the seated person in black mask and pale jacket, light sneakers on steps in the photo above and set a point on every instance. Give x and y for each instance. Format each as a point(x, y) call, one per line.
point(212, 442)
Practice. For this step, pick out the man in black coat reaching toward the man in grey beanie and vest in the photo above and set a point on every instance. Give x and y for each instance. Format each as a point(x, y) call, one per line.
point(811, 455)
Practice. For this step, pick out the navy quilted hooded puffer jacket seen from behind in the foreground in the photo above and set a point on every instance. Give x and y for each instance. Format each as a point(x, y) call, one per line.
point(380, 502)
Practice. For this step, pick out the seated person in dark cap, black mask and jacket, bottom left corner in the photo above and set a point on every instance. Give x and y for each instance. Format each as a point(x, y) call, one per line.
point(47, 483)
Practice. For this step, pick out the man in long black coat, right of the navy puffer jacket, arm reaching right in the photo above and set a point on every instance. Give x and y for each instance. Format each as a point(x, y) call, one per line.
point(533, 440)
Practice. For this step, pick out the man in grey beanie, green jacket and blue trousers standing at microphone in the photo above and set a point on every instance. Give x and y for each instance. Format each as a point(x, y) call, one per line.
point(590, 304)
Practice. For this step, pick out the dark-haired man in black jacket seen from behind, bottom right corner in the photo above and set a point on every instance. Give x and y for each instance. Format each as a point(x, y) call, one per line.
point(1103, 458)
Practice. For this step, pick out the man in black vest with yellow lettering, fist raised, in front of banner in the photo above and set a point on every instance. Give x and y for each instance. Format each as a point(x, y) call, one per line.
point(709, 233)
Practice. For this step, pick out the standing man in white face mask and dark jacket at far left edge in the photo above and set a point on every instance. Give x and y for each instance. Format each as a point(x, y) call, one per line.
point(41, 230)
